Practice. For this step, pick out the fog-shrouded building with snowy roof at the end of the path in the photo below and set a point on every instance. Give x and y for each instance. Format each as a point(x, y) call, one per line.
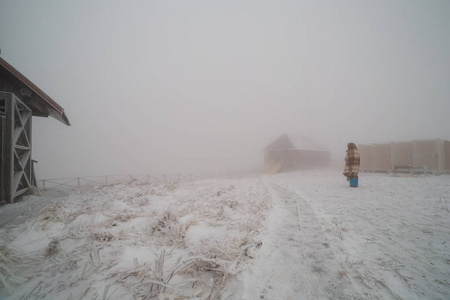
point(291, 152)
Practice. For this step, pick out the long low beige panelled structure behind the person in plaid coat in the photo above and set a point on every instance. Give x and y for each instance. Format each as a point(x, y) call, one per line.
point(425, 156)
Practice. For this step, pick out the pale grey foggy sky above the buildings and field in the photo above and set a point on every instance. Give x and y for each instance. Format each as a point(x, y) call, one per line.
point(189, 86)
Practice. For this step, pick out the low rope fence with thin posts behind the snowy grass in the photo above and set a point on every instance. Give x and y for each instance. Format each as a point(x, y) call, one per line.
point(80, 182)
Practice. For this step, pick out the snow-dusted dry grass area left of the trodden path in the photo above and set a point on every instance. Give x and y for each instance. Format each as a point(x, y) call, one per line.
point(136, 241)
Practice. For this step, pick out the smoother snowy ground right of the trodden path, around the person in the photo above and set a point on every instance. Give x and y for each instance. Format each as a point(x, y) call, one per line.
point(390, 236)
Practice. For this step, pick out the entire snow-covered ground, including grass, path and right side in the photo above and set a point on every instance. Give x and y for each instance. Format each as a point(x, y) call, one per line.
point(303, 235)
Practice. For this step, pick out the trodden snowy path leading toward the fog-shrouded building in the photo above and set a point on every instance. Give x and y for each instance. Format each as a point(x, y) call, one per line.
point(296, 259)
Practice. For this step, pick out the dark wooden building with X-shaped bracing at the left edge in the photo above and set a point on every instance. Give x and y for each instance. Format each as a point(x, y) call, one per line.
point(20, 99)
